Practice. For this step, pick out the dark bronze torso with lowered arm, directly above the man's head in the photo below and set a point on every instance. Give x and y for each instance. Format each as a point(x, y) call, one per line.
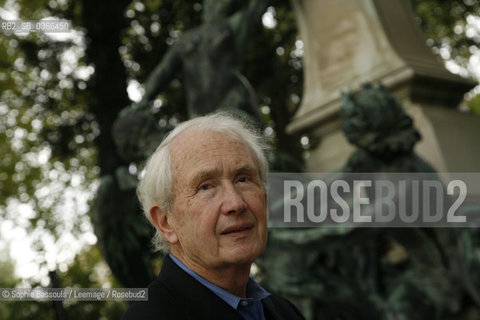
point(207, 55)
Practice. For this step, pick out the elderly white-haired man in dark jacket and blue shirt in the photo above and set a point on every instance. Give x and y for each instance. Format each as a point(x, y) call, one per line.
point(204, 191)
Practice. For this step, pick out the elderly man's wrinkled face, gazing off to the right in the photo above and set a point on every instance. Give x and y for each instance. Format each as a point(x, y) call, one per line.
point(219, 203)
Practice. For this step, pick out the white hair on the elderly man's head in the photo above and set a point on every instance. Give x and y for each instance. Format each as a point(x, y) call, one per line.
point(156, 187)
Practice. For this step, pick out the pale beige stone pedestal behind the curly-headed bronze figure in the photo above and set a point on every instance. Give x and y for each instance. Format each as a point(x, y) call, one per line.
point(350, 42)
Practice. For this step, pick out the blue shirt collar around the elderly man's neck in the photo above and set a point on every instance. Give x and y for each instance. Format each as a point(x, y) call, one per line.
point(255, 293)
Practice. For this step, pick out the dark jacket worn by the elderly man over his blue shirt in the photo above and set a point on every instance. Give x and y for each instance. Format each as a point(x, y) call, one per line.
point(175, 295)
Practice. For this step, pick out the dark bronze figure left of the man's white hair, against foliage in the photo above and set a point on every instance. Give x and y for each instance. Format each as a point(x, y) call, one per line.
point(123, 236)
